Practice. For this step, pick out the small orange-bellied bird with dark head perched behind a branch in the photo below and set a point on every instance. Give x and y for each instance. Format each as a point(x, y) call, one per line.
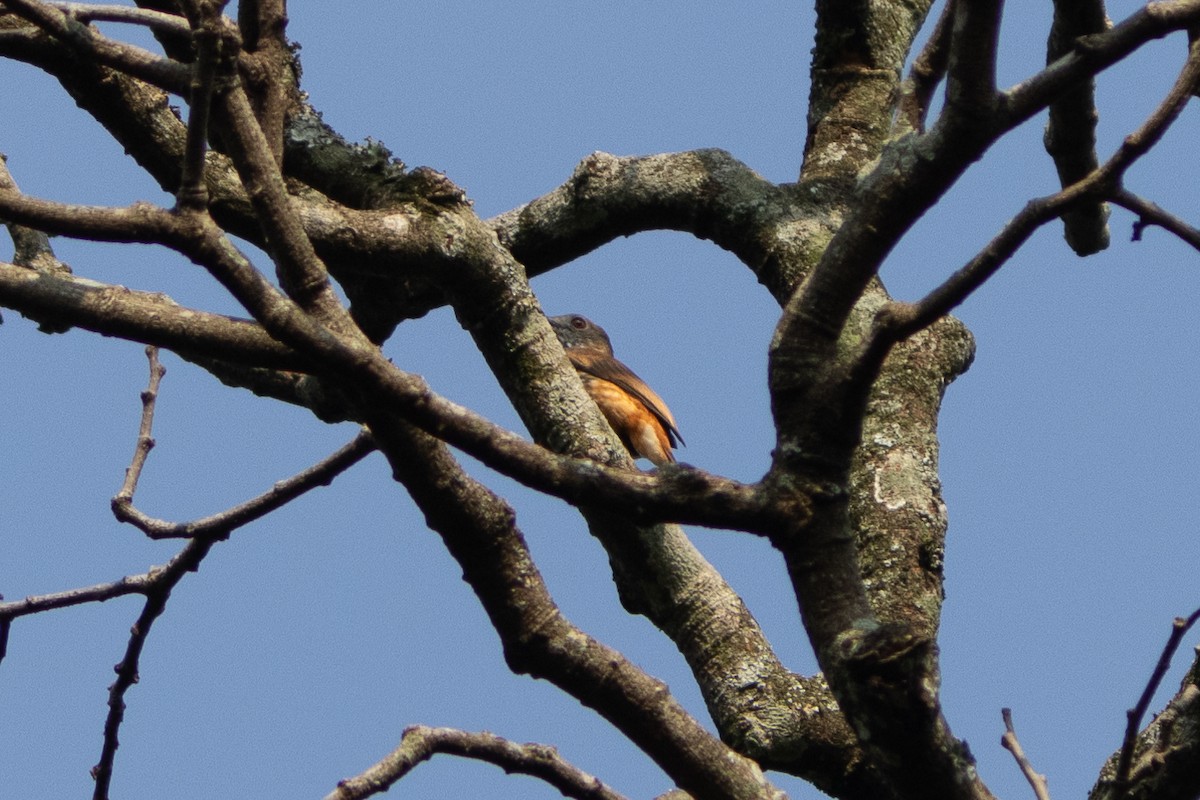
point(638, 416)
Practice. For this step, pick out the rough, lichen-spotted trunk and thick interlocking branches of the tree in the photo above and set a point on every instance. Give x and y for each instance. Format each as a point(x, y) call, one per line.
point(853, 500)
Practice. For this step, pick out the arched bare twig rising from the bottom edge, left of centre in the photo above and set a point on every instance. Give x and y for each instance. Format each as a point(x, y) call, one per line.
point(421, 743)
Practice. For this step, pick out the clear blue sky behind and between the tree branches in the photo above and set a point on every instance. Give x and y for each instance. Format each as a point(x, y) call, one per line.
point(310, 641)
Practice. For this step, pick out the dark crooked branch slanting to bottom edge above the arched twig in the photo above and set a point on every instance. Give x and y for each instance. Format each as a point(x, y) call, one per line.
point(479, 531)
